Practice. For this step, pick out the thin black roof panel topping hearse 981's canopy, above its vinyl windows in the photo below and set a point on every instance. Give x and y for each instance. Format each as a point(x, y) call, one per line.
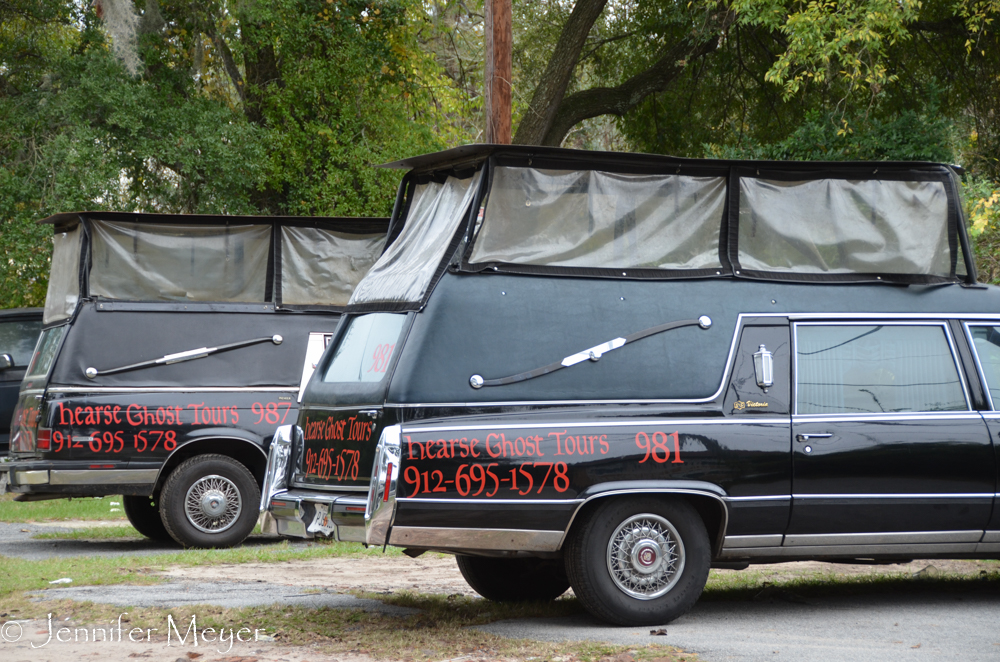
point(472, 155)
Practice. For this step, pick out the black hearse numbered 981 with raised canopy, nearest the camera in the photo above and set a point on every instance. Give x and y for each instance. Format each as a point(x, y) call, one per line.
point(613, 371)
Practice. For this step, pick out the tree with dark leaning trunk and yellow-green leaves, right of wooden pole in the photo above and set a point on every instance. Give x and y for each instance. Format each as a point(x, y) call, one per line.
point(771, 55)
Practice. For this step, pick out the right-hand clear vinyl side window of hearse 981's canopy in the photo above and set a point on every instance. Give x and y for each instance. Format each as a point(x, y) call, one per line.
point(840, 226)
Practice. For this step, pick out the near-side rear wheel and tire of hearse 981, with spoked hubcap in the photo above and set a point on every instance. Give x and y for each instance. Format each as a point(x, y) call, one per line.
point(640, 561)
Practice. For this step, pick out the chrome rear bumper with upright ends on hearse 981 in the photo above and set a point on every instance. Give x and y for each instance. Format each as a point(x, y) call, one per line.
point(306, 513)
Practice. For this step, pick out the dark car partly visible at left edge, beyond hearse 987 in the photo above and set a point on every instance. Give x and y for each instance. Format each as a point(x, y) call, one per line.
point(19, 328)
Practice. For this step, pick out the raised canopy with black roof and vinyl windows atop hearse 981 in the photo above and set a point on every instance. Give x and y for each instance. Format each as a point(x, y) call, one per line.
point(552, 211)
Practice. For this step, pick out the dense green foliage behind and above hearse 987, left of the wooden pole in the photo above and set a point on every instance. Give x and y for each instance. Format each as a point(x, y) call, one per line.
point(317, 94)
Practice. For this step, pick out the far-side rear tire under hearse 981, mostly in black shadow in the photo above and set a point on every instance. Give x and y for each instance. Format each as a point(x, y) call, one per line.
point(514, 580)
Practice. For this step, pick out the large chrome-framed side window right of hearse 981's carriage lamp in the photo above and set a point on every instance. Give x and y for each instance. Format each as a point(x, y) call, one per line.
point(874, 369)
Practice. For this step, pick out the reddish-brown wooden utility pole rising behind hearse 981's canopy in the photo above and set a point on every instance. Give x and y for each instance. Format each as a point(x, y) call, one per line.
point(499, 36)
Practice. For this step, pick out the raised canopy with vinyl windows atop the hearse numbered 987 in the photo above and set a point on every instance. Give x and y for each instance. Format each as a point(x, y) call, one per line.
point(260, 262)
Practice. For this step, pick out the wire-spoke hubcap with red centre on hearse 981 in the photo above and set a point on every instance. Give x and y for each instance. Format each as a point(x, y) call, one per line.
point(645, 556)
